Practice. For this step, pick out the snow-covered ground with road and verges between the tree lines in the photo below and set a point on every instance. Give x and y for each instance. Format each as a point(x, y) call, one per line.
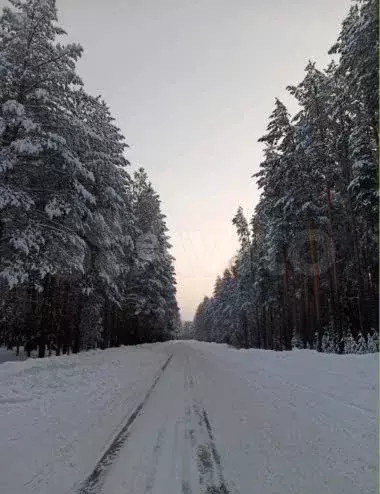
point(189, 418)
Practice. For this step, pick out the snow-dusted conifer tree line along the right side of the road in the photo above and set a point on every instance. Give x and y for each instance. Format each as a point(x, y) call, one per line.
point(306, 273)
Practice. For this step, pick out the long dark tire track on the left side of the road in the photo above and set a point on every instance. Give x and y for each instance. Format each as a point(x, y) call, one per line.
point(94, 482)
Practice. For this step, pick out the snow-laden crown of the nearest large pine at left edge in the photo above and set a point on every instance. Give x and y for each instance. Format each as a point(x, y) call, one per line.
point(42, 179)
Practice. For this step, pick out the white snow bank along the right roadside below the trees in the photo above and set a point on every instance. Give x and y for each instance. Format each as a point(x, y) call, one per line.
point(352, 379)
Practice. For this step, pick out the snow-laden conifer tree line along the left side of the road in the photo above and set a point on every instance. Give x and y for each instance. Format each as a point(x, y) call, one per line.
point(84, 249)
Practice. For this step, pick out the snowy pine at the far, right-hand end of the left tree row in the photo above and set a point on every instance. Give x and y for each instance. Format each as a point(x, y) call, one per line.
point(151, 289)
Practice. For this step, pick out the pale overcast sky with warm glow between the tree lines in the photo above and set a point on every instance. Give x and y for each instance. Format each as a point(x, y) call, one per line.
point(191, 84)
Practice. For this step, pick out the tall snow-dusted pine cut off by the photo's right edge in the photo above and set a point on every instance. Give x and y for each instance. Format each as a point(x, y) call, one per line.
point(357, 47)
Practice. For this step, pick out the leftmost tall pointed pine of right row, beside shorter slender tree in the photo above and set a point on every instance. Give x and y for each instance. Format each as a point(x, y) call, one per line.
point(274, 208)
